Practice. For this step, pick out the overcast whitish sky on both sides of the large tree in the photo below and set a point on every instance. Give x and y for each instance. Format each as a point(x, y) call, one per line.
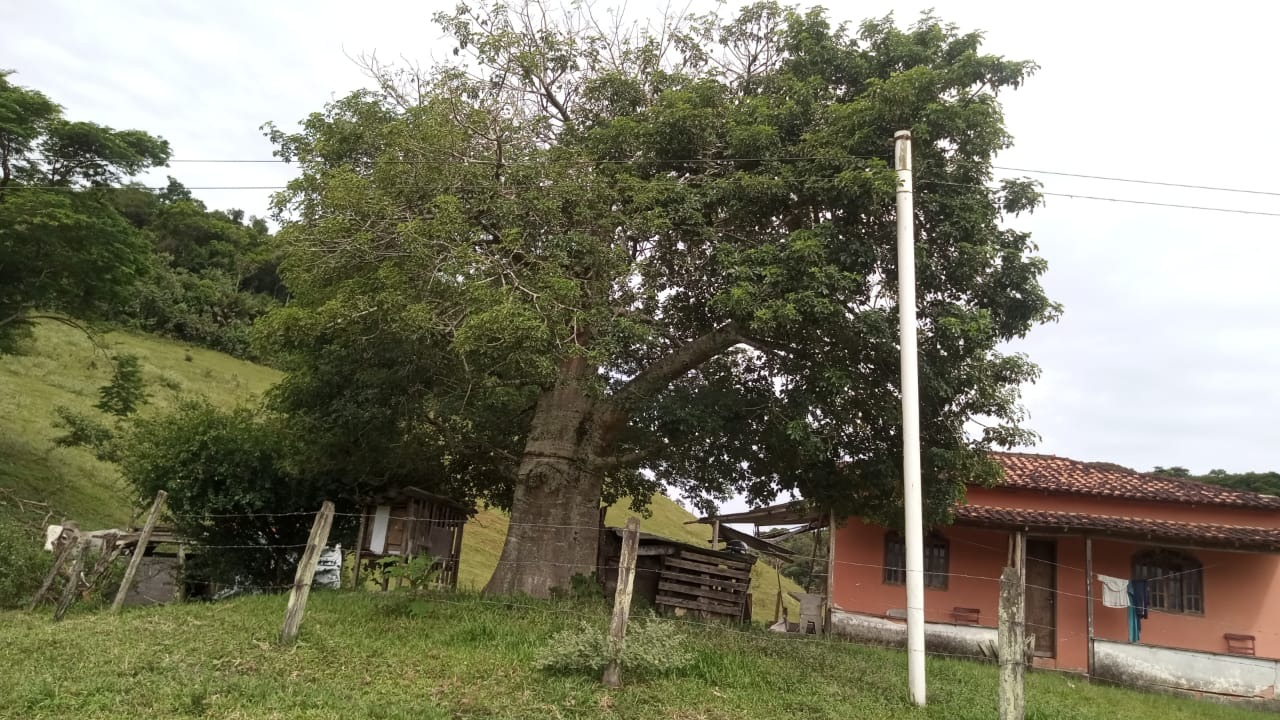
point(1169, 349)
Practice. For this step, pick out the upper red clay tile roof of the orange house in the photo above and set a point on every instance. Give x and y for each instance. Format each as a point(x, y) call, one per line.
point(1049, 473)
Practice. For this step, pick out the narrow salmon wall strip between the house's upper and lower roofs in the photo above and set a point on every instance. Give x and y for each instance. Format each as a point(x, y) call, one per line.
point(1031, 500)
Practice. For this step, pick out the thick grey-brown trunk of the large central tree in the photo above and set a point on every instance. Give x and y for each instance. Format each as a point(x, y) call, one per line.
point(556, 511)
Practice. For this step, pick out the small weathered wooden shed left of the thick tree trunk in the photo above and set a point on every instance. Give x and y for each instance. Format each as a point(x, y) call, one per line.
point(414, 522)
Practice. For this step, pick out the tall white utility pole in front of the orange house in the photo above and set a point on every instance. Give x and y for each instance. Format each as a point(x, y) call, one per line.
point(912, 500)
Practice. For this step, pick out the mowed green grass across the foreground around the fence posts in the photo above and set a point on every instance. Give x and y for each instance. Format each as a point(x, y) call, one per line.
point(460, 657)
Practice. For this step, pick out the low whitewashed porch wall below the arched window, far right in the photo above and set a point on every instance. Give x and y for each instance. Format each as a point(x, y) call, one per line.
point(1187, 671)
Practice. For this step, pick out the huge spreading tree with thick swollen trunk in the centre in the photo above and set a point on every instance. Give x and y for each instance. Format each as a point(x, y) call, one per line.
point(591, 259)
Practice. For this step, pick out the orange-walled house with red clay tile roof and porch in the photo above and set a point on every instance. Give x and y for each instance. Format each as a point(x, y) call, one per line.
point(1210, 558)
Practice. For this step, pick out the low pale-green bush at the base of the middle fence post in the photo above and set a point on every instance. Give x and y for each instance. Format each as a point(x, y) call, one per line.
point(653, 648)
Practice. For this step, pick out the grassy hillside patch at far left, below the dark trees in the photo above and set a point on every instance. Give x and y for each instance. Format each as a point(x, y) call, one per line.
point(62, 368)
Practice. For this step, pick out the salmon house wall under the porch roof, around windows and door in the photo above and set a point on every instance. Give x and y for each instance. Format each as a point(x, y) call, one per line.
point(1241, 591)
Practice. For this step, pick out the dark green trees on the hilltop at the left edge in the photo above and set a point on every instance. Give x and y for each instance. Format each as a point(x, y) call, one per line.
point(74, 243)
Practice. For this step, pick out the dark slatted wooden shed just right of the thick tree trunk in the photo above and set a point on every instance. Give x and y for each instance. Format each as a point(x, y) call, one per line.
point(683, 578)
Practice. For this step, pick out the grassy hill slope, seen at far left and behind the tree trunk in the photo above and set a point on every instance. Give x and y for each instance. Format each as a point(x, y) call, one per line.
point(63, 368)
